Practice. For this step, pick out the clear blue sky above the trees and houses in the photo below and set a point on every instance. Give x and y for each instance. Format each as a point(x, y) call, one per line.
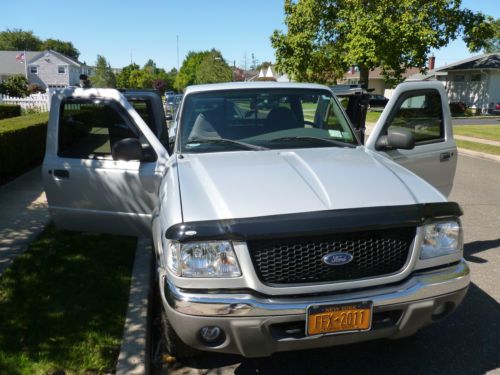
point(126, 30)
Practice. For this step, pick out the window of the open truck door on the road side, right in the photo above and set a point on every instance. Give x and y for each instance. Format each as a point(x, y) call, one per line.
point(421, 113)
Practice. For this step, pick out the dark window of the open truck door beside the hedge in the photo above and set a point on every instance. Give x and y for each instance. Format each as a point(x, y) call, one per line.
point(89, 129)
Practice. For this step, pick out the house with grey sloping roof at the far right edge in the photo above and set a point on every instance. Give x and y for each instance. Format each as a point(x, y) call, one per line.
point(474, 81)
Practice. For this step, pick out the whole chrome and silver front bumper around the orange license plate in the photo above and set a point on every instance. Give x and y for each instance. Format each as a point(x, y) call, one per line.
point(248, 319)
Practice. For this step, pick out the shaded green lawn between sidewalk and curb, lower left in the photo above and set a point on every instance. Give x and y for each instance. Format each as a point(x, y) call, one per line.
point(63, 304)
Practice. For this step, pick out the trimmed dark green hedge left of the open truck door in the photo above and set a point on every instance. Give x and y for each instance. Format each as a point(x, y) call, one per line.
point(22, 142)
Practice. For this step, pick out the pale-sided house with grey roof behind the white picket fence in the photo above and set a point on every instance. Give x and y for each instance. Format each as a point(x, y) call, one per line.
point(47, 69)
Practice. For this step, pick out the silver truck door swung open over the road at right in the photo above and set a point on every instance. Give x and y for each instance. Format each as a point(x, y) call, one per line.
point(421, 109)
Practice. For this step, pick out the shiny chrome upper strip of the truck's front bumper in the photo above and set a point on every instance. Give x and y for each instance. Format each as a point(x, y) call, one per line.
point(421, 286)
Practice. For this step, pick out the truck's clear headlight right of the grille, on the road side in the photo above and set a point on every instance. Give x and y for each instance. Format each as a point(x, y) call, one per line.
point(440, 239)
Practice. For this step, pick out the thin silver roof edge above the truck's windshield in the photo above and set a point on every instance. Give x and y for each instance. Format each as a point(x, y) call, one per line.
point(252, 85)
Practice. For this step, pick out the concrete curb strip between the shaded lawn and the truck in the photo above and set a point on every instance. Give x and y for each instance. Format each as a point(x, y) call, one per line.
point(133, 358)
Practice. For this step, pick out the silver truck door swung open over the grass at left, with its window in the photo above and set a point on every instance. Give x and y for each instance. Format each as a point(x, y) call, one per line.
point(103, 165)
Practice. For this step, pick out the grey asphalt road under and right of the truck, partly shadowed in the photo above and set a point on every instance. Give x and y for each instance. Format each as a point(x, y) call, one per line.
point(468, 342)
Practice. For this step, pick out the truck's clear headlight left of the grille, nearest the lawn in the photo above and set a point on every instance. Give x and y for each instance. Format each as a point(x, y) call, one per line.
point(202, 259)
